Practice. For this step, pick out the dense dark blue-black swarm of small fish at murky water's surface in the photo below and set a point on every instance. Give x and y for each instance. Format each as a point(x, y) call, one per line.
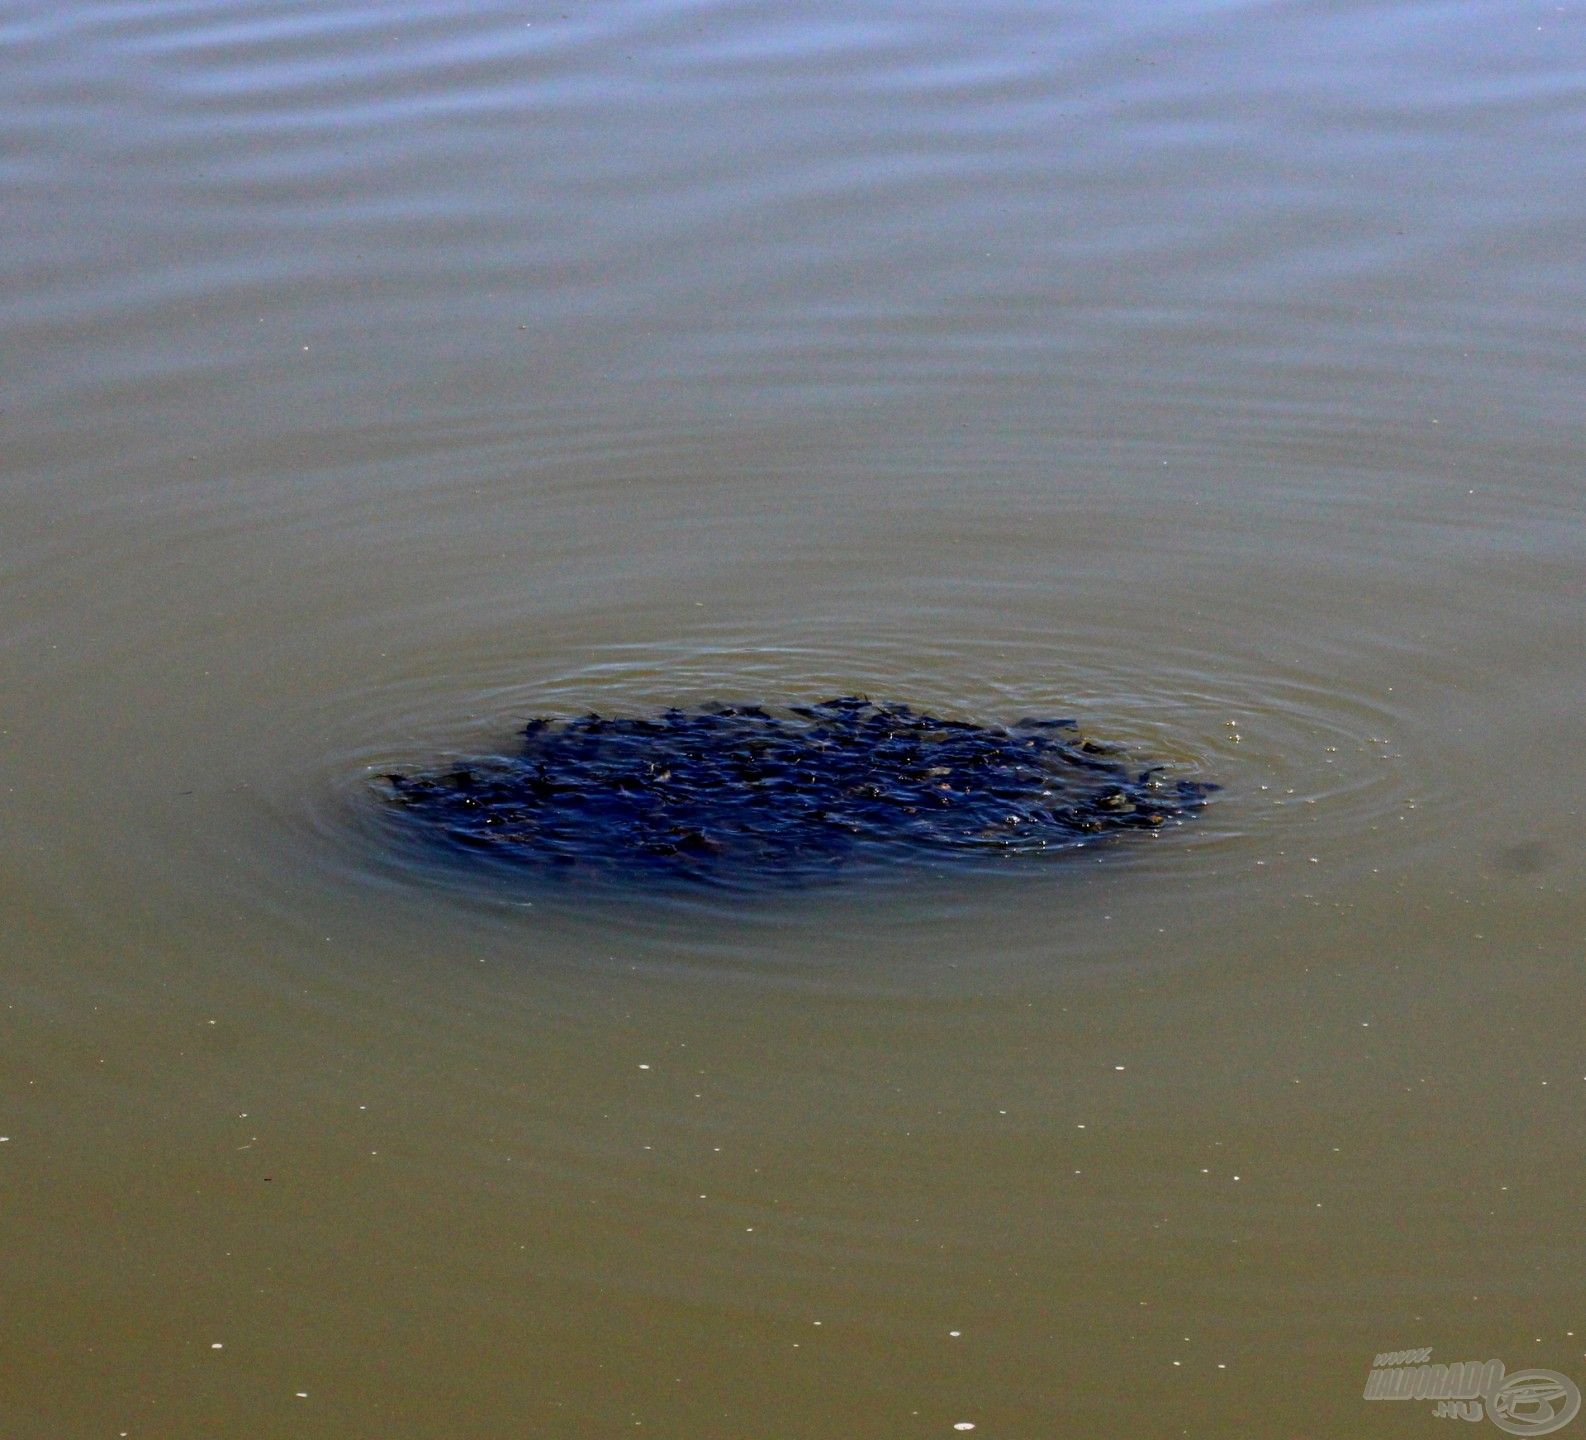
point(746, 797)
